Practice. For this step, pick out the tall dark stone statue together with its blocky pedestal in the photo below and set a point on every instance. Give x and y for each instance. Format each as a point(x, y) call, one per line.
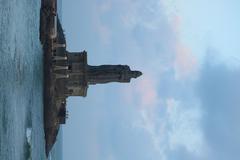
point(79, 74)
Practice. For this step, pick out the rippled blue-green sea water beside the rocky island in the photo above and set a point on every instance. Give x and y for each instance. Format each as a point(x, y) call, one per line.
point(21, 83)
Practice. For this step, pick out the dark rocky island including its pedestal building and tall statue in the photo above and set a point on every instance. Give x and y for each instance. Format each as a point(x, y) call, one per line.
point(68, 73)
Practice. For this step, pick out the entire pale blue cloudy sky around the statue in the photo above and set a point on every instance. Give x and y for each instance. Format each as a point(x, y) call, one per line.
point(185, 105)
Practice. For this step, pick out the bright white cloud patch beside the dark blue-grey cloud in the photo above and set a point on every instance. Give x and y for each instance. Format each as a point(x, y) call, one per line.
point(185, 127)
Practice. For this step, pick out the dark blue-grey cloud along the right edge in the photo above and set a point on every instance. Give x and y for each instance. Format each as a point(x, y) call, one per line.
point(218, 89)
